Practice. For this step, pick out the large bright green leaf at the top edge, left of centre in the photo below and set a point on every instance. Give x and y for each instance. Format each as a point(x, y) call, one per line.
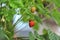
point(16, 3)
